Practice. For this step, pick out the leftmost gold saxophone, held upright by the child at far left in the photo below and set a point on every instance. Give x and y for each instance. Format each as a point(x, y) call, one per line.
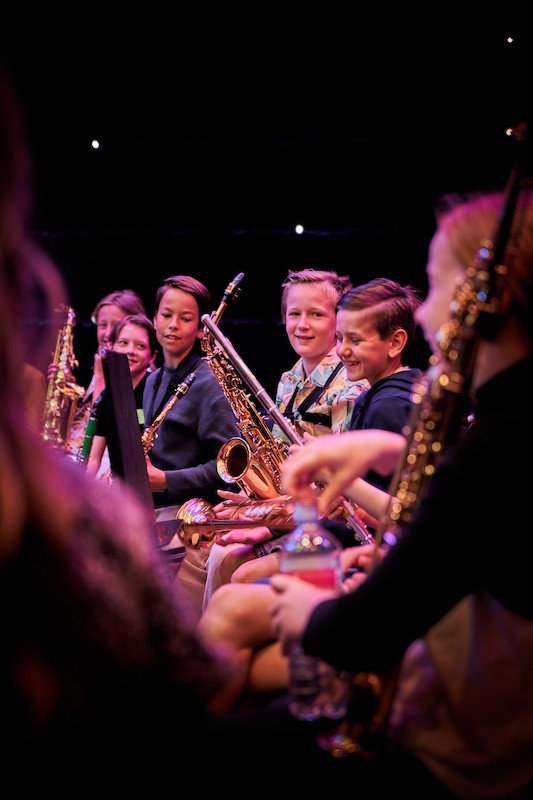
point(62, 392)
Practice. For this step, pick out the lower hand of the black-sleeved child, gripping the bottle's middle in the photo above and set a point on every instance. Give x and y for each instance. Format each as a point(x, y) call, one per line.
point(292, 607)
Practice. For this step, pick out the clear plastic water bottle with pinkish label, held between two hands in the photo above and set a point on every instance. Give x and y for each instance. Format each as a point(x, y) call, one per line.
point(316, 689)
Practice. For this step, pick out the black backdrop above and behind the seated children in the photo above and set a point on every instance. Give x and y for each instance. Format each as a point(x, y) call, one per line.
point(219, 136)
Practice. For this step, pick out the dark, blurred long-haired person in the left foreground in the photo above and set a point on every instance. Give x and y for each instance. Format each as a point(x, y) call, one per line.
point(97, 651)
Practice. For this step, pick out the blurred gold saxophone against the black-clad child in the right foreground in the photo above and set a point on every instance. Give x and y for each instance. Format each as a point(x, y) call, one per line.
point(441, 403)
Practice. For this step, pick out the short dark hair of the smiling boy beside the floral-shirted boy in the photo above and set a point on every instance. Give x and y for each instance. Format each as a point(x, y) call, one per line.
point(392, 306)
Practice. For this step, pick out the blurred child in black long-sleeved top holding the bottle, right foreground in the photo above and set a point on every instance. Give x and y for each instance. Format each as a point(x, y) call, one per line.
point(442, 609)
